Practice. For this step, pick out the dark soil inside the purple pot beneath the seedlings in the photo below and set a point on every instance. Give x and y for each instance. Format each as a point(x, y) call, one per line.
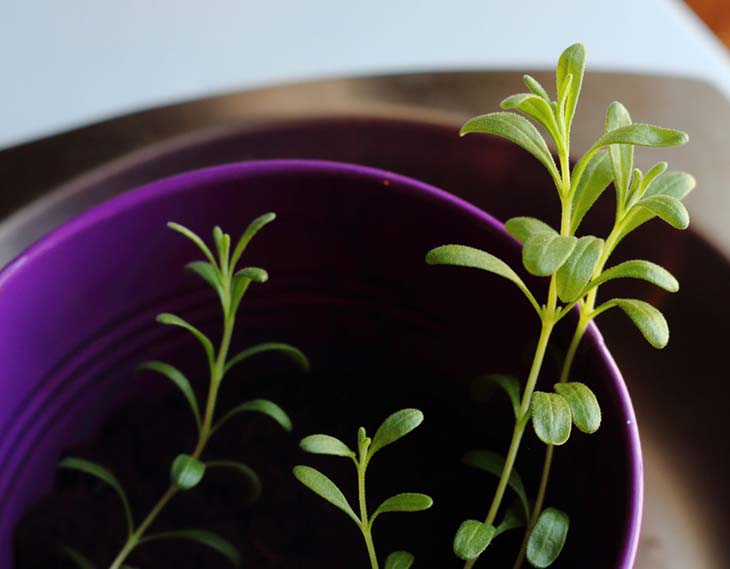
point(289, 526)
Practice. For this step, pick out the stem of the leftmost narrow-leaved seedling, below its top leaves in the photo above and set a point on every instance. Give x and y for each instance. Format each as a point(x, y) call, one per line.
point(216, 375)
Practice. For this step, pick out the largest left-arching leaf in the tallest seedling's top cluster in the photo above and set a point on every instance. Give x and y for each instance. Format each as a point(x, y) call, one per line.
point(516, 129)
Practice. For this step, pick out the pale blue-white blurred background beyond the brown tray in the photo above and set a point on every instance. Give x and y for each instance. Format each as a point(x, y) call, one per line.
point(69, 63)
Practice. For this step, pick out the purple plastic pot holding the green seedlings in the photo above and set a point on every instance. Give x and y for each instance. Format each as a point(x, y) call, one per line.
point(346, 257)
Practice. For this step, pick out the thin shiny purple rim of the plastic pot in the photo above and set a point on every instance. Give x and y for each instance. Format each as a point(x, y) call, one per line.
point(160, 188)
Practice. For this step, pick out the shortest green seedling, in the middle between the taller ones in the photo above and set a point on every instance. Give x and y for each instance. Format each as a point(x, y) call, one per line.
point(393, 428)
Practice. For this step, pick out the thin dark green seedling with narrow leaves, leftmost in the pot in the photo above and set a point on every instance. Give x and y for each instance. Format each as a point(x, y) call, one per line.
point(221, 272)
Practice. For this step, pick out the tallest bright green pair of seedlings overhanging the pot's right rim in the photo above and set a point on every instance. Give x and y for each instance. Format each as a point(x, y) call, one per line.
point(576, 266)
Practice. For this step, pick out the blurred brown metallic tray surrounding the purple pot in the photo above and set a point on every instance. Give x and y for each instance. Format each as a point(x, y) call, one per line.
point(680, 394)
